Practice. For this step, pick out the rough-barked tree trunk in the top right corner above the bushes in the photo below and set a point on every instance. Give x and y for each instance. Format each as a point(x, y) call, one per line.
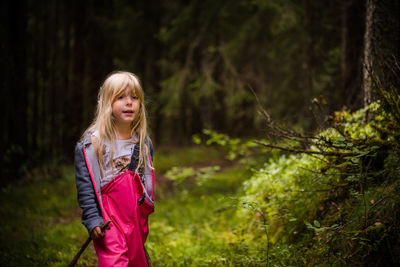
point(381, 47)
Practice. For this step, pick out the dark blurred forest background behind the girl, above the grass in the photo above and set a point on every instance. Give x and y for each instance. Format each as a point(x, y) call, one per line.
point(197, 60)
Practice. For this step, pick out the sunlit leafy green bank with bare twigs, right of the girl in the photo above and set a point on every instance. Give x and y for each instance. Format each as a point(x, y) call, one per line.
point(332, 199)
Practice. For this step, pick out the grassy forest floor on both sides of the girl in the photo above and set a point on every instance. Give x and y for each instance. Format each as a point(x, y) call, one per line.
point(190, 226)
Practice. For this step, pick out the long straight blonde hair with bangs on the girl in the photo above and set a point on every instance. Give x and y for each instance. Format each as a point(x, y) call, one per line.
point(115, 85)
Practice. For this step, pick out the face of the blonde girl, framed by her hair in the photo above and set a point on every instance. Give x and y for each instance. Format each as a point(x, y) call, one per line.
point(126, 108)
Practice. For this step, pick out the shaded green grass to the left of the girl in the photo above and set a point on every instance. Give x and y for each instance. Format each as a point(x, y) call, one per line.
point(41, 225)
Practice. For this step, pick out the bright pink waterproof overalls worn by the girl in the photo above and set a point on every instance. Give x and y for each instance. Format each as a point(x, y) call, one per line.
point(124, 204)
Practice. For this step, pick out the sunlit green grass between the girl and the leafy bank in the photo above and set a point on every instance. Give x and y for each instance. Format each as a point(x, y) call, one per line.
point(195, 226)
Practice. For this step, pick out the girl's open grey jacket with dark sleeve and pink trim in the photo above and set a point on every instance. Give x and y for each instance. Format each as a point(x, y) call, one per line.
point(87, 175)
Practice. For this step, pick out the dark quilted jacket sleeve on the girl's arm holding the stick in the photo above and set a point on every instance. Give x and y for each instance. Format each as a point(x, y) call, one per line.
point(91, 212)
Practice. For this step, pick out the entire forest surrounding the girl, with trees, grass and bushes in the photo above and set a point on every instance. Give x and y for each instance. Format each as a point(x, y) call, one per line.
point(275, 125)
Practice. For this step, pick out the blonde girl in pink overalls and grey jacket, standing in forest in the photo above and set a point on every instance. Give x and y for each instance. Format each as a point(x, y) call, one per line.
point(114, 173)
